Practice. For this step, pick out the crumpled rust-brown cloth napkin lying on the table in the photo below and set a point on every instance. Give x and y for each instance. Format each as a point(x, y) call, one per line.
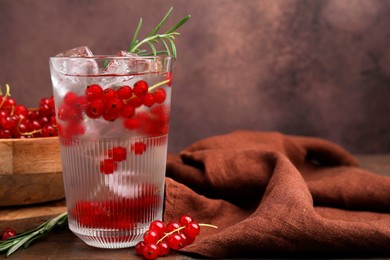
point(273, 193)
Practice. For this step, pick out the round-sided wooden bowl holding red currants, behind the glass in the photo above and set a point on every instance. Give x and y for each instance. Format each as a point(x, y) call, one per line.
point(30, 171)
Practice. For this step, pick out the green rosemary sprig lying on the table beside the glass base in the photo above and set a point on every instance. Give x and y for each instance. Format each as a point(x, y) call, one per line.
point(24, 239)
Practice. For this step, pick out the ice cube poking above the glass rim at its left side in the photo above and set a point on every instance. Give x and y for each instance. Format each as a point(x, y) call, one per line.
point(75, 64)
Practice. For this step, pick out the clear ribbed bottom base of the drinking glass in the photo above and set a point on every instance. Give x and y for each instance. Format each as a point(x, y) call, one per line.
point(110, 239)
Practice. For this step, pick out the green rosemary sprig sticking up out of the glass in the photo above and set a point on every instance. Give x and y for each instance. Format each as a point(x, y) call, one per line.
point(166, 39)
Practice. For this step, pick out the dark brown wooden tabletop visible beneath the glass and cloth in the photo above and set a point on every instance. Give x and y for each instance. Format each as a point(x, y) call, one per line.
point(62, 244)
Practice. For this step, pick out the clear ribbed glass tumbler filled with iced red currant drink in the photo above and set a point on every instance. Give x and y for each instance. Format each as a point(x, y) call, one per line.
point(112, 116)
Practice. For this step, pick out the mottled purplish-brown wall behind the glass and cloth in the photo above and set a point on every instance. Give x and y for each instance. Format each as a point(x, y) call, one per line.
point(318, 68)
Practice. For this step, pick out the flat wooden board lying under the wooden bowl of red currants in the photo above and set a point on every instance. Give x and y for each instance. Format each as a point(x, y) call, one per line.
point(28, 217)
